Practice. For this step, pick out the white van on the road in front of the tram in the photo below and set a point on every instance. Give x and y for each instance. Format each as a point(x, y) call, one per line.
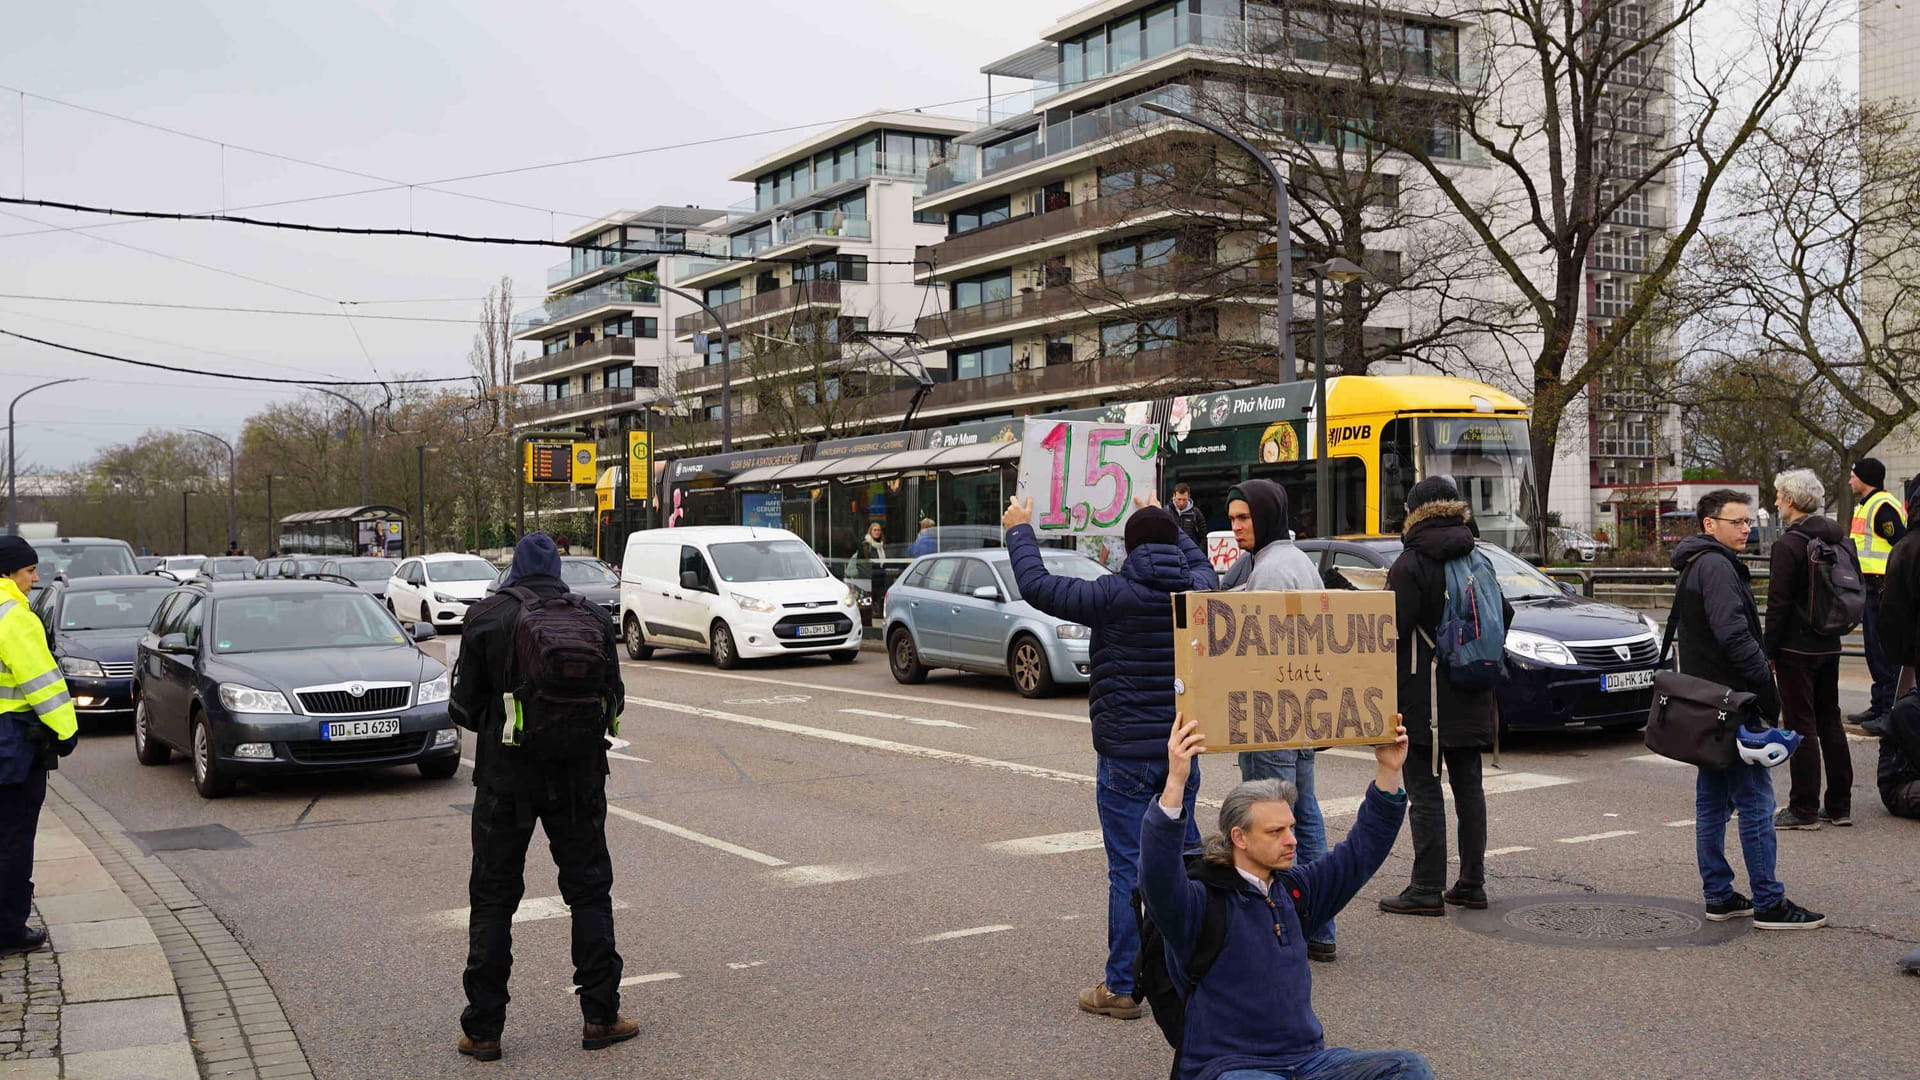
point(734, 593)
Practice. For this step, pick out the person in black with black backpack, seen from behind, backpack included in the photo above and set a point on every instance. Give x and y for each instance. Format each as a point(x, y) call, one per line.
point(540, 685)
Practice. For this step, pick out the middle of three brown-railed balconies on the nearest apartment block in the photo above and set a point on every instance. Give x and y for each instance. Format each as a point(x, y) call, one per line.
point(1090, 297)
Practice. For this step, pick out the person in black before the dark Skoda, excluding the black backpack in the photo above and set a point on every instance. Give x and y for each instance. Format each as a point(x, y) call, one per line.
point(510, 797)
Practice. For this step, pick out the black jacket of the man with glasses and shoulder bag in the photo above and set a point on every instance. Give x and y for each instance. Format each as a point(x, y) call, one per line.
point(1717, 624)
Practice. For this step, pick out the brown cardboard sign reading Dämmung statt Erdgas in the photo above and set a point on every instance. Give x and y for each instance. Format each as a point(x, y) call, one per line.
point(1287, 670)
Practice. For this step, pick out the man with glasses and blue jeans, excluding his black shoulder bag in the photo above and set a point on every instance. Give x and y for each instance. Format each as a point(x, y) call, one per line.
point(1719, 637)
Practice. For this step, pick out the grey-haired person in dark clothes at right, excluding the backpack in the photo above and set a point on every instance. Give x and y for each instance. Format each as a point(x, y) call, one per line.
point(1806, 656)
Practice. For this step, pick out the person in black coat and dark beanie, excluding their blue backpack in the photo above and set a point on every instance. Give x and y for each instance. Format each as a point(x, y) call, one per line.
point(1435, 535)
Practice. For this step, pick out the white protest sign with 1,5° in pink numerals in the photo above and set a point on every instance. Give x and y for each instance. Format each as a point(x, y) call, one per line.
point(1082, 476)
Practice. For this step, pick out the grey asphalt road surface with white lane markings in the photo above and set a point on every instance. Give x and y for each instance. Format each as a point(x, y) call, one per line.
point(830, 875)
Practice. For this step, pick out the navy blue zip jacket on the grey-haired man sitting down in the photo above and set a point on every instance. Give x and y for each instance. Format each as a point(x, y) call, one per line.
point(1255, 1010)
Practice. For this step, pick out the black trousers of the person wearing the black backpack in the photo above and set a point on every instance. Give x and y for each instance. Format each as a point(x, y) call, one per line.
point(575, 820)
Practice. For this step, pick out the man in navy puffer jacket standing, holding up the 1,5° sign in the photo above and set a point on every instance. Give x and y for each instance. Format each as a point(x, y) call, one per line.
point(1130, 699)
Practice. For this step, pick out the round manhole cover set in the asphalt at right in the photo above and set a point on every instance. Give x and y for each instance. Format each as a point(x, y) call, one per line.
point(1600, 921)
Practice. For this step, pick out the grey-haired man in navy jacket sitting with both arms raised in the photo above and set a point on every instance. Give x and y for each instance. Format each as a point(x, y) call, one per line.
point(1251, 1018)
